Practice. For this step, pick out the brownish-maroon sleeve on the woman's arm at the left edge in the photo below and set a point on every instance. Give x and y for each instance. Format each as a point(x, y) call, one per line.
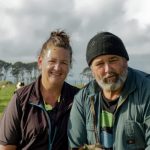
point(10, 124)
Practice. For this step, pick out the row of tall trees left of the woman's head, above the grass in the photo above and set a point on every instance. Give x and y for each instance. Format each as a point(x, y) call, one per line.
point(18, 71)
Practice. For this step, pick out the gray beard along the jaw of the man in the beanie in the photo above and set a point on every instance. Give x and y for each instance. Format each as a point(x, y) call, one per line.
point(116, 85)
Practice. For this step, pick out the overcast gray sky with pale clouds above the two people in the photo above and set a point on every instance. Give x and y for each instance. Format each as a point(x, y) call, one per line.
point(26, 24)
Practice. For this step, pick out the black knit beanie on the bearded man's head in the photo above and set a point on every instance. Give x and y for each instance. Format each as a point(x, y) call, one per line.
point(105, 43)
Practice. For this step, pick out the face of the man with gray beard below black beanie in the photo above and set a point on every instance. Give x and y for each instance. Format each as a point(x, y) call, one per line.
point(110, 71)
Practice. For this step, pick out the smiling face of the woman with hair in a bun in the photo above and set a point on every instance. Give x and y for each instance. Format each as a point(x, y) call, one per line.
point(54, 65)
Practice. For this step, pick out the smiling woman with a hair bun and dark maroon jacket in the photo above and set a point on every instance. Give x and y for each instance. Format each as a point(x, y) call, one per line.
point(37, 116)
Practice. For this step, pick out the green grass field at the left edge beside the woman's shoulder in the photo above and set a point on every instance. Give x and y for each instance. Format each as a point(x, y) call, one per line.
point(5, 96)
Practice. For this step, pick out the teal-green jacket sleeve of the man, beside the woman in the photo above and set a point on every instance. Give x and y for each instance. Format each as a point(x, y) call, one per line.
point(76, 125)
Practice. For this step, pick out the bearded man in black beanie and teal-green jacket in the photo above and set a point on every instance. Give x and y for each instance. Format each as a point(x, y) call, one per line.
point(114, 109)
